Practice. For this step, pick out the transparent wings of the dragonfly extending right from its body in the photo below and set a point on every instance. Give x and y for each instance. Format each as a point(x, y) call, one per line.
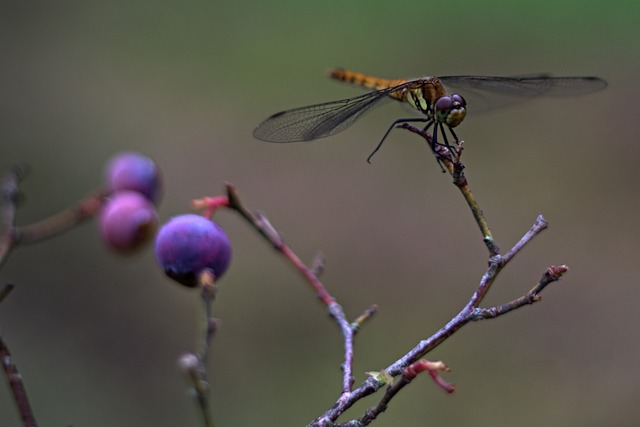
point(487, 92)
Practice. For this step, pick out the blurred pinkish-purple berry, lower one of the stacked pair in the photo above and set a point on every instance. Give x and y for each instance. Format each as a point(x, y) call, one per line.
point(127, 221)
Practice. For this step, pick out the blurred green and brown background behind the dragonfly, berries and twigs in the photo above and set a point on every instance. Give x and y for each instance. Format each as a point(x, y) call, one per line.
point(96, 336)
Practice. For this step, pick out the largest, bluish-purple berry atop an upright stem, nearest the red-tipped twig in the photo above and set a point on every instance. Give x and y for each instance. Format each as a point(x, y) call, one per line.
point(189, 244)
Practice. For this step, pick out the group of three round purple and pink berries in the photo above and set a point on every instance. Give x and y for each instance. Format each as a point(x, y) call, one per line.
point(186, 246)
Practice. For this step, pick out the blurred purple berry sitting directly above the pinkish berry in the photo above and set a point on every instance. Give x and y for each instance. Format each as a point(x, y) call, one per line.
point(133, 171)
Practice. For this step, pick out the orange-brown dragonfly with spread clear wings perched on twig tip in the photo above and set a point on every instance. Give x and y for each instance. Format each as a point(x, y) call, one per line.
point(433, 97)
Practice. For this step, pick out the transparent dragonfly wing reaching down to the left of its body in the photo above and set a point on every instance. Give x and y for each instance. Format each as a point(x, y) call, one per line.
point(318, 121)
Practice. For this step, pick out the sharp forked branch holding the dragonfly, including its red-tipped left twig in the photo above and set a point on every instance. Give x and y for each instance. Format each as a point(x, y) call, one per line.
point(401, 372)
